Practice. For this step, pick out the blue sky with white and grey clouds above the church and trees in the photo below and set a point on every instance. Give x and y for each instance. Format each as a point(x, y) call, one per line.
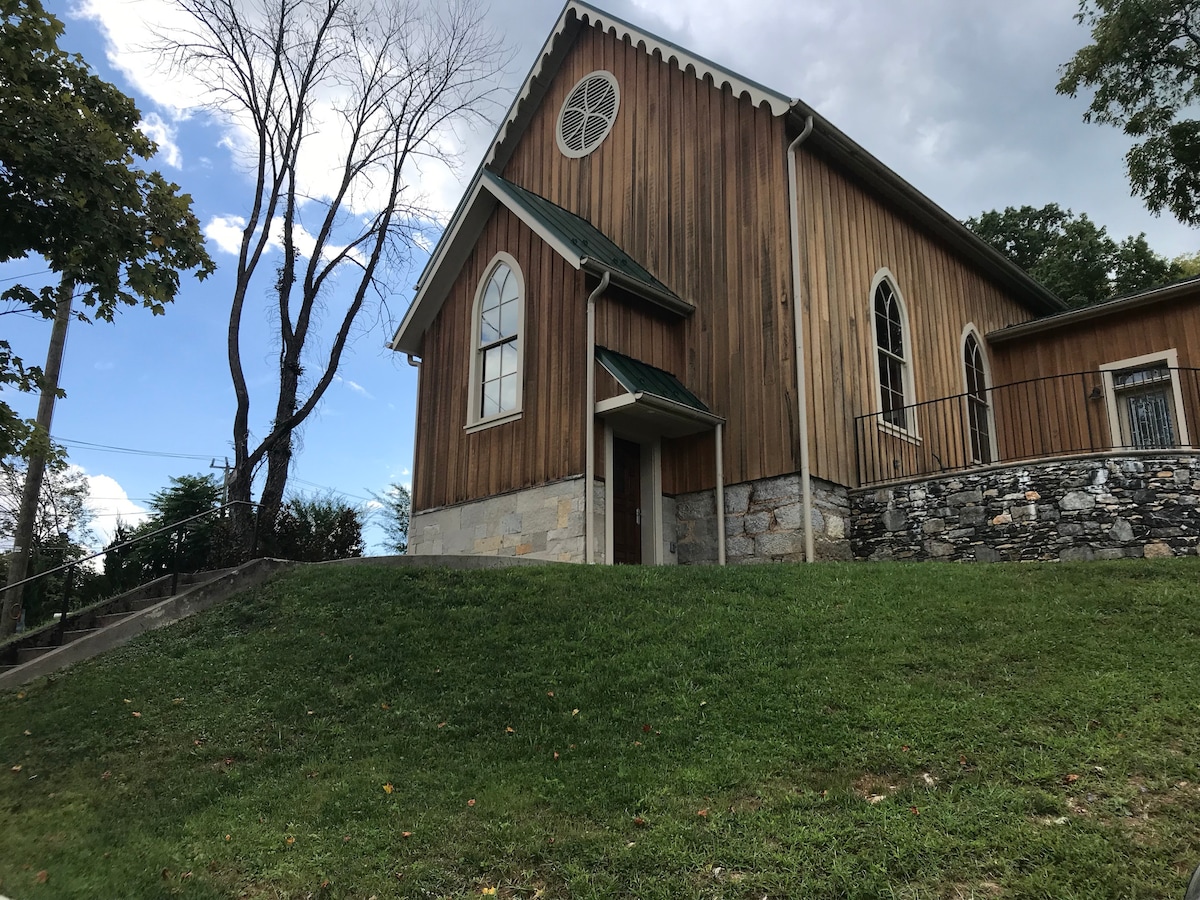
point(957, 98)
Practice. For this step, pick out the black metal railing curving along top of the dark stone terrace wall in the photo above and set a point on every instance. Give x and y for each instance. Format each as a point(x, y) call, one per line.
point(1147, 409)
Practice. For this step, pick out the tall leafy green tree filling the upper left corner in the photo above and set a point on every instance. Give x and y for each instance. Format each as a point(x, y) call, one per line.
point(110, 231)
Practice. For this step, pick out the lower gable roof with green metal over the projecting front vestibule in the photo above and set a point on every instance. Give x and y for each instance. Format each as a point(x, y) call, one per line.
point(575, 239)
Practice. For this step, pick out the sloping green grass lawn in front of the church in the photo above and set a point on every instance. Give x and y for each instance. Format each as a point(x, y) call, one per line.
point(831, 731)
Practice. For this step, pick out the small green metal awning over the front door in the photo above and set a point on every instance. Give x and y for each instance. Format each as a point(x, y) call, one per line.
point(657, 401)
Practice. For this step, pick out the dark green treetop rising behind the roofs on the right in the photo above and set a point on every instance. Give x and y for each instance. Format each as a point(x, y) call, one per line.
point(1073, 256)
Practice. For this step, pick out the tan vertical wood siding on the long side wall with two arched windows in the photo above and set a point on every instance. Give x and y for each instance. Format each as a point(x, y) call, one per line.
point(848, 237)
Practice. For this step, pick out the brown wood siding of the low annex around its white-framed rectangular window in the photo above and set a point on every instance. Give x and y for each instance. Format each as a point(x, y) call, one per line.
point(1042, 415)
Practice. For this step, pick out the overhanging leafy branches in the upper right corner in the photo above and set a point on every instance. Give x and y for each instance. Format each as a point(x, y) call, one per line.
point(1144, 70)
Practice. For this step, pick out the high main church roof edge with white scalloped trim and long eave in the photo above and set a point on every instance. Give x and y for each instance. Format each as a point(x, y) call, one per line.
point(575, 17)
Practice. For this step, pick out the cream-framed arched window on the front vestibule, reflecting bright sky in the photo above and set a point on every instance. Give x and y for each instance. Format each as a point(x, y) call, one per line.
point(497, 349)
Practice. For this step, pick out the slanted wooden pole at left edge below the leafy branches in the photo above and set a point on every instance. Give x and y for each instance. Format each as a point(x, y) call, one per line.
point(27, 518)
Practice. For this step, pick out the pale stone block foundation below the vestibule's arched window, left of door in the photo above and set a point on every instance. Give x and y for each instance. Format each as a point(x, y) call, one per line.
point(544, 523)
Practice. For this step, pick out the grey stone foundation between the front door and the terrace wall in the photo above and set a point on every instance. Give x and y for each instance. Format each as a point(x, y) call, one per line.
point(764, 523)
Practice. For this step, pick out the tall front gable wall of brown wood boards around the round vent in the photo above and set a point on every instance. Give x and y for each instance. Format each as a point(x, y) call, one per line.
point(692, 183)
